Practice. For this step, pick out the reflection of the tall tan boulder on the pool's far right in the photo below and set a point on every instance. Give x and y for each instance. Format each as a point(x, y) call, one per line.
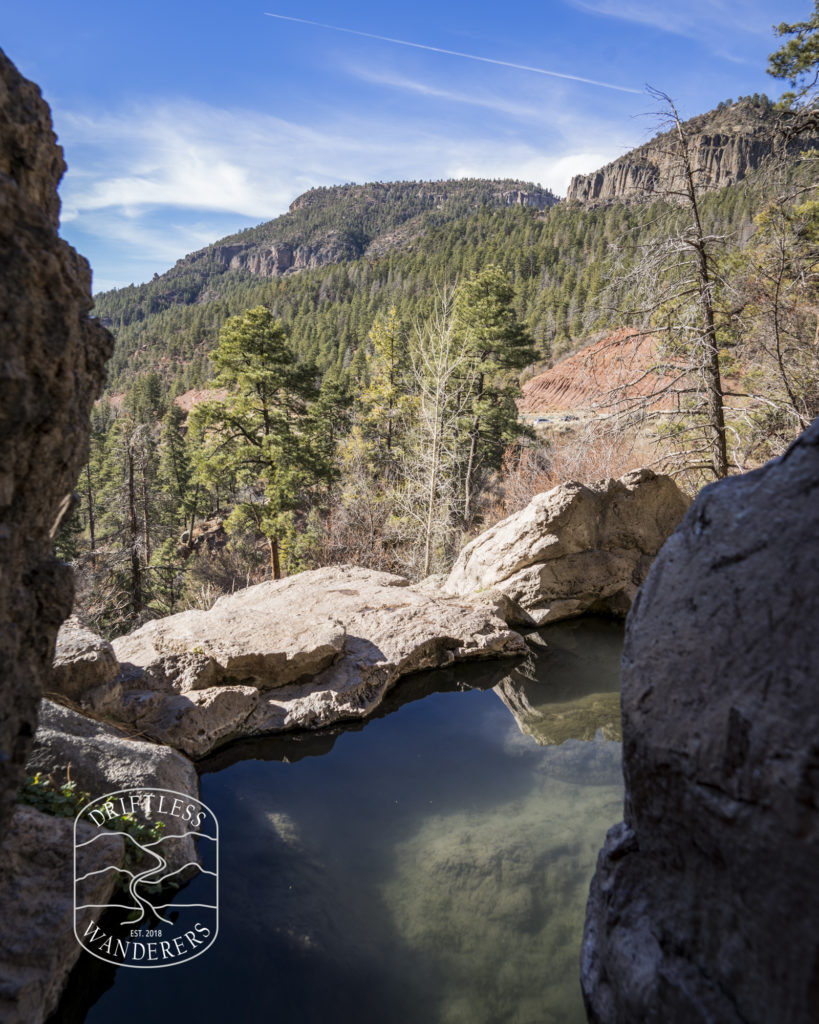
point(554, 723)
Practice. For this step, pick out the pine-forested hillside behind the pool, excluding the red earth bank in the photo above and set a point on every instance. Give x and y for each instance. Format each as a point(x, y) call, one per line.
point(360, 358)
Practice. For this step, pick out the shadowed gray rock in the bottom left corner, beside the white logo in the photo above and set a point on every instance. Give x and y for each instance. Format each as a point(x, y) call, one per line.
point(38, 948)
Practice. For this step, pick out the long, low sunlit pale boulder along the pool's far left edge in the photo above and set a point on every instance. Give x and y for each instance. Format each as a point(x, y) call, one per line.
point(301, 653)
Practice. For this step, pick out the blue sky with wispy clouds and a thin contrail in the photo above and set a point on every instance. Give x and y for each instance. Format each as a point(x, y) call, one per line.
point(184, 122)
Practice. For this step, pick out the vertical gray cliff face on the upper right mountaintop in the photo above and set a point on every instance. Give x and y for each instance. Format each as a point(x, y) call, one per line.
point(727, 146)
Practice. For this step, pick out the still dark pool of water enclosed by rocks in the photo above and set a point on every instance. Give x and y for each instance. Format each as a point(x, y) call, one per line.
point(430, 865)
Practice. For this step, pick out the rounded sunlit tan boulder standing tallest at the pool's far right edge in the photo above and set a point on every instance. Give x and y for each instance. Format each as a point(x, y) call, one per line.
point(575, 549)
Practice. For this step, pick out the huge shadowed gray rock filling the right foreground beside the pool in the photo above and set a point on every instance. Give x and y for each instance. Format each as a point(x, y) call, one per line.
point(706, 899)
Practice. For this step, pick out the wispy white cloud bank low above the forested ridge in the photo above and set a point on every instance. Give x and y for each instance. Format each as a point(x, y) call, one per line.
point(152, 184)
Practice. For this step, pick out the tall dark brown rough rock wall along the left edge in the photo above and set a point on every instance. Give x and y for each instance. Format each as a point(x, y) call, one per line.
point(52, 370)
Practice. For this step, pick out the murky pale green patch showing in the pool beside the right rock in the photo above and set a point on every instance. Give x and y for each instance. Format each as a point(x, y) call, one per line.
point(496, 901)
